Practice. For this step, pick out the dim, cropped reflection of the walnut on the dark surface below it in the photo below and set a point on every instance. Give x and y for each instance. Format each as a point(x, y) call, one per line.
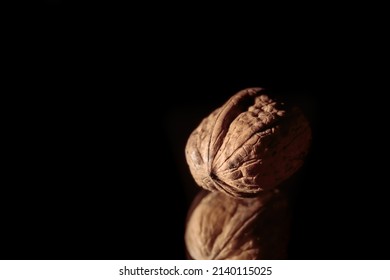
point(220, 227)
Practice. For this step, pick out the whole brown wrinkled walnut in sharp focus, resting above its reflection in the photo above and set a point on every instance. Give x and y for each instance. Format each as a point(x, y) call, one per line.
point(249, 145)
